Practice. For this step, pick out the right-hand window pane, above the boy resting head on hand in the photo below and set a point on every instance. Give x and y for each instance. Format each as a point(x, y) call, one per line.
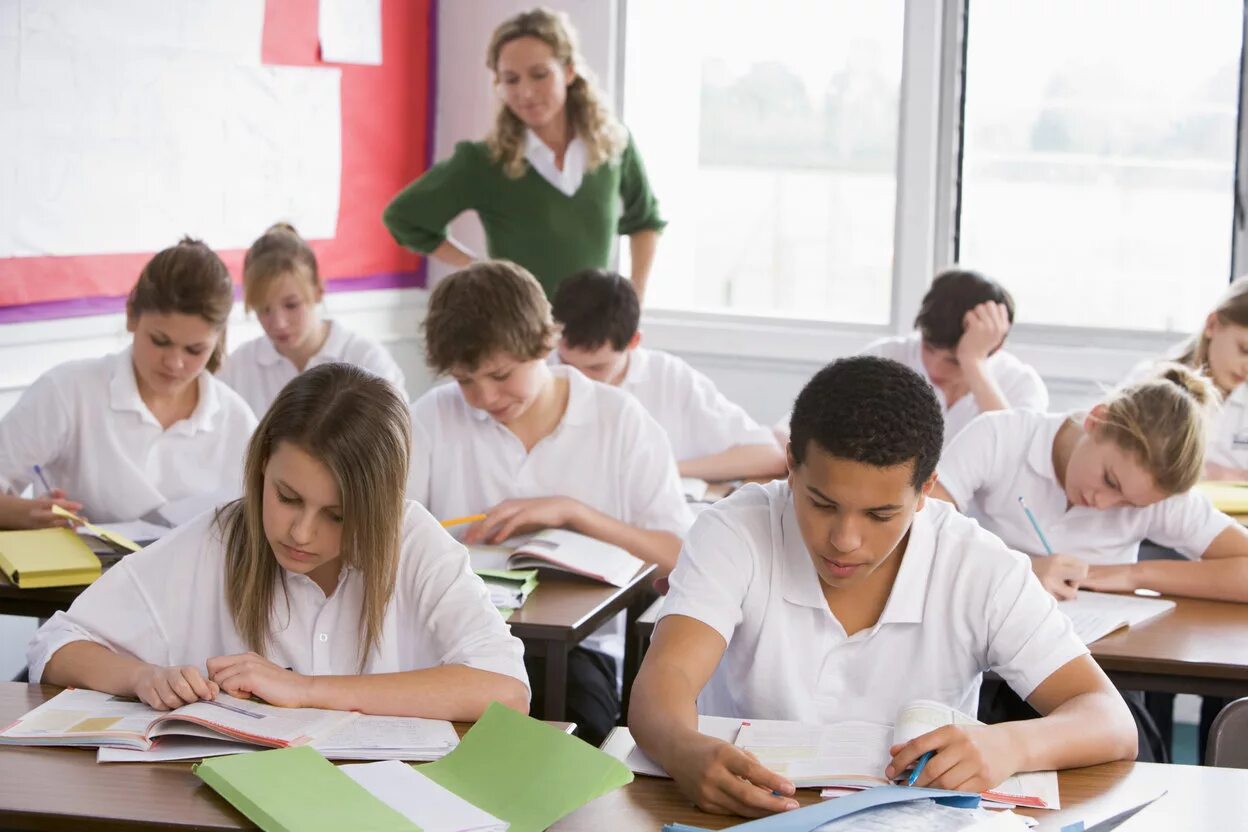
point(1099, 157)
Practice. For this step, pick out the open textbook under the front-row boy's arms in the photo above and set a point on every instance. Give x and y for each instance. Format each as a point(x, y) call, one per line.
point(842, 755)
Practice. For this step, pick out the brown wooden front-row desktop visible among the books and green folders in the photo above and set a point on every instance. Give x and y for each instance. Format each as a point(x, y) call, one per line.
point(67, 789)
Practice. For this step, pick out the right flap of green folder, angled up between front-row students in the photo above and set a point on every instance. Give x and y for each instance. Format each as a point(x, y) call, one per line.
point(525, 772)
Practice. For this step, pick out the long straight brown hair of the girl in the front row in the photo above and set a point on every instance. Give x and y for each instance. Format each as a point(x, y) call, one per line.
point(358, 427)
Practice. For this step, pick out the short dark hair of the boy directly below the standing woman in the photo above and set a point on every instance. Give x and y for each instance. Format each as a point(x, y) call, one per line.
point(596, 307)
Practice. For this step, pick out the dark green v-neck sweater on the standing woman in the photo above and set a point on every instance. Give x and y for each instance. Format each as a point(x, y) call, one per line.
point(527, 220)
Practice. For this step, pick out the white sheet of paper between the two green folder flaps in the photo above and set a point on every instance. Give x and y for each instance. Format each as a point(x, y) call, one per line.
point(420, 800)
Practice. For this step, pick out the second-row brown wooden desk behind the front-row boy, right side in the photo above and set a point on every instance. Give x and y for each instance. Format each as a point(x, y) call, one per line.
point(1199, 648)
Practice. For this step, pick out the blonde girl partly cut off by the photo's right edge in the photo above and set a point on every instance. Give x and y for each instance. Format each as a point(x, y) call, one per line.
point(1221, 351)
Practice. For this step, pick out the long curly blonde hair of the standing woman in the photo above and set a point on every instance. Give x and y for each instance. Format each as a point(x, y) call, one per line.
point(588, 115)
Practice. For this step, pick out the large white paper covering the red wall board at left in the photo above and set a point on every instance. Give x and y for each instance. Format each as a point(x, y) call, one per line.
point(127, 150)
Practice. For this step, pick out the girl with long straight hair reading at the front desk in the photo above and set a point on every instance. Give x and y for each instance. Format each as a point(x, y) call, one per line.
point(321, 588)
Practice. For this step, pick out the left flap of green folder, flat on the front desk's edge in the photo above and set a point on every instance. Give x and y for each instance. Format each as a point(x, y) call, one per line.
point(298, 790)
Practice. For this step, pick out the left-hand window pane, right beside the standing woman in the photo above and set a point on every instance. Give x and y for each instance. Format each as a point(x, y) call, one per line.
point(769, 132)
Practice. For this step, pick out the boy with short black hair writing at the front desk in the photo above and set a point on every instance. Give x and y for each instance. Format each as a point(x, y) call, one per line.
point(844, 593)
